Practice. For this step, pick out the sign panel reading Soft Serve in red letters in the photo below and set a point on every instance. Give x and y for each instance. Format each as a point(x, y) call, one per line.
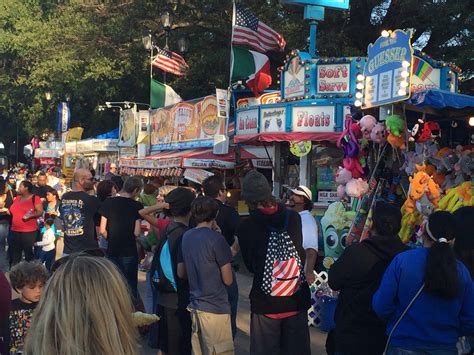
point(333, 78)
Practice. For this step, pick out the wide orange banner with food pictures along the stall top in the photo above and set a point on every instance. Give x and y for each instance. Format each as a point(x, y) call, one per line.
point(189, 124)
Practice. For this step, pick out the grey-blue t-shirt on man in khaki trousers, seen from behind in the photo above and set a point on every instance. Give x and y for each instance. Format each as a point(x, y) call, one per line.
point(204, 252)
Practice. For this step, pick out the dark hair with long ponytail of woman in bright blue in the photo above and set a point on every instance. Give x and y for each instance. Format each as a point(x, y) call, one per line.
point(441, 273)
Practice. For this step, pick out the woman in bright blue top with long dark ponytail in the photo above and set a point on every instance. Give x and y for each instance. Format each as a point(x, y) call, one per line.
point(444, 308)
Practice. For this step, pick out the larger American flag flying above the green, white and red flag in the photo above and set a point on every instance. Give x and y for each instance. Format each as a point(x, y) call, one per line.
point(250, 31)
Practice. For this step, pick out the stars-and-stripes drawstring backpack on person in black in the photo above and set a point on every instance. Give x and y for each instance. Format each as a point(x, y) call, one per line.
point(283, 270)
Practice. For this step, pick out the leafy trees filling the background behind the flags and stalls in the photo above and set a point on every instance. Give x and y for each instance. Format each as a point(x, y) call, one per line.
point(92, 51)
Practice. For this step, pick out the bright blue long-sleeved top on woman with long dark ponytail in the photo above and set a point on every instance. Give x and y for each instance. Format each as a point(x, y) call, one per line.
point(431, 322)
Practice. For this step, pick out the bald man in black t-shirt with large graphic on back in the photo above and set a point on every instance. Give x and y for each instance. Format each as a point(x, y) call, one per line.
point(78, 211)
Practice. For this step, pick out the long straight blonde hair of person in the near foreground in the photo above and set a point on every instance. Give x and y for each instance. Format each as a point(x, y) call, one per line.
point(86, 309)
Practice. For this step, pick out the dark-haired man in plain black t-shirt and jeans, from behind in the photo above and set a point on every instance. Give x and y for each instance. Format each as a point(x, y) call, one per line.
point(120, 225)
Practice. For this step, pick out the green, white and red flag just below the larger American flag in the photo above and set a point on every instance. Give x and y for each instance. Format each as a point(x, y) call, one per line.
point(254, 67)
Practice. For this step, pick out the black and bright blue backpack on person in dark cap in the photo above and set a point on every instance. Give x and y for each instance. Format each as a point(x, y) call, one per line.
point(162, 270)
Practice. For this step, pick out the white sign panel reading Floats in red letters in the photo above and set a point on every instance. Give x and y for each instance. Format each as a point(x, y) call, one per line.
point(313, 119)
